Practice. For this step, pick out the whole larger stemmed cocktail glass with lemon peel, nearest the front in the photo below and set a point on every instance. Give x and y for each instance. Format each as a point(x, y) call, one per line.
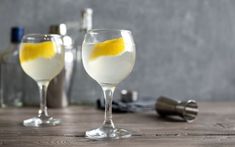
point(108, 57)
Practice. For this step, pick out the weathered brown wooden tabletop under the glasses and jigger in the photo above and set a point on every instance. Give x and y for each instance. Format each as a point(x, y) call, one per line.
point(214, 127)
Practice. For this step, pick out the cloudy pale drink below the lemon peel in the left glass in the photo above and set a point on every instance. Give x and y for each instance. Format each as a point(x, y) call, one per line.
point(42, 69)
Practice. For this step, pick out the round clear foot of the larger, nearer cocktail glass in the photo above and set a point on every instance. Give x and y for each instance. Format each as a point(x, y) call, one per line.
point(103, 133)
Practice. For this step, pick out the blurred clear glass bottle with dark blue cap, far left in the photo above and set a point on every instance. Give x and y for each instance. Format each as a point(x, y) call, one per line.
point(12, 89)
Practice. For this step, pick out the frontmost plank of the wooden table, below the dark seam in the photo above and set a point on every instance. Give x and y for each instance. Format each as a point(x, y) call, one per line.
point(60, 141)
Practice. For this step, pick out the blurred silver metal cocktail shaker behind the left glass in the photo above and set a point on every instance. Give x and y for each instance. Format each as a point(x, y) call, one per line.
point(59, 90)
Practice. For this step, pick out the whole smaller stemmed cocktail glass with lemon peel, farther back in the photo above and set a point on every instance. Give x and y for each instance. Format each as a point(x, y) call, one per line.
point(42, 58)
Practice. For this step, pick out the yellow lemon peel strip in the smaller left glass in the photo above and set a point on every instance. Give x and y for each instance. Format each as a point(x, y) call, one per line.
point(31, 51)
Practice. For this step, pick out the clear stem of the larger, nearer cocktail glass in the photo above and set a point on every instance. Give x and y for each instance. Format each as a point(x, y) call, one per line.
point(108, 96)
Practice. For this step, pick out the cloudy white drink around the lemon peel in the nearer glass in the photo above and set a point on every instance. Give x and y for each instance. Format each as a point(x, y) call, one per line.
point(108, 69)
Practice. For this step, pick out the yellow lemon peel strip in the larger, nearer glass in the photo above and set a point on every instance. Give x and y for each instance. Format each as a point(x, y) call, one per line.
point(112, 47)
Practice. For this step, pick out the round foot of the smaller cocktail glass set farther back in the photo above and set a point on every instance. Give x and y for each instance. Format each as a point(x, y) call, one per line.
point(41, 122)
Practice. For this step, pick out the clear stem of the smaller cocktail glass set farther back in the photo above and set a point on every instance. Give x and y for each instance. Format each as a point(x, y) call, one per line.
point(42, 113)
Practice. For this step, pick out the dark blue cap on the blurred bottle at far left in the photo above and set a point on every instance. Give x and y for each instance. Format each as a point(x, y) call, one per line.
point(17, 34)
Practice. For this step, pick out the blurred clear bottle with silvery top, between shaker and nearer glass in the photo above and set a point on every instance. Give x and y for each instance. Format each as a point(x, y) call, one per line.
point(82, 85)
